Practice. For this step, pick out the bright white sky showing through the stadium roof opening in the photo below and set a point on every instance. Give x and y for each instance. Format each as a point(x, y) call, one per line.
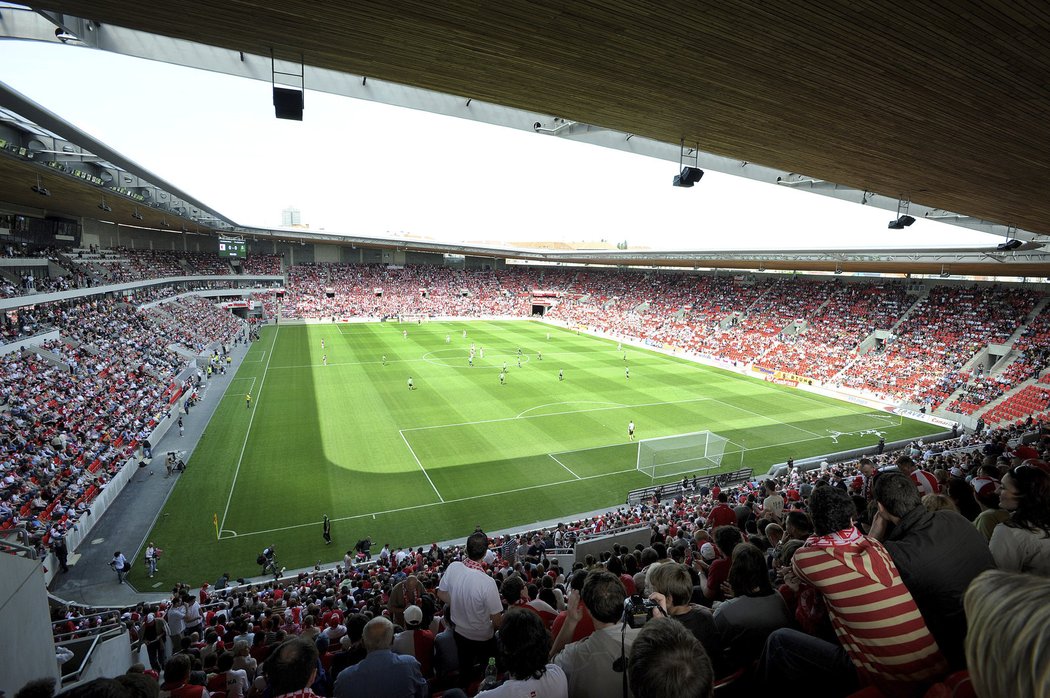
point(359, 167)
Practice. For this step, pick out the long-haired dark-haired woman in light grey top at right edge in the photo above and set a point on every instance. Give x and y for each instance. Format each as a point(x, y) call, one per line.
point(1023, 543)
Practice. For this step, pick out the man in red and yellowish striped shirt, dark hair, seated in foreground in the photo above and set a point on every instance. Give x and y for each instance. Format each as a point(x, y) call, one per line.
point(884, 640)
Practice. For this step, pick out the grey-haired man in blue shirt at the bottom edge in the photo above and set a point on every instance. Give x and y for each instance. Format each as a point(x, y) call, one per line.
point(382, 674)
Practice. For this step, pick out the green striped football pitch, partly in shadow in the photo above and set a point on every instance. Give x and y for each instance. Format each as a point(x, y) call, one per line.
point(413, 467)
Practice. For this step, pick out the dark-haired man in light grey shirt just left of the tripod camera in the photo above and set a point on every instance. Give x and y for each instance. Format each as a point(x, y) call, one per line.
point(595, 666)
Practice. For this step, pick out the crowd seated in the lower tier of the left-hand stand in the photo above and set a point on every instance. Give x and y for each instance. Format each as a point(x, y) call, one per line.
point(73, 412)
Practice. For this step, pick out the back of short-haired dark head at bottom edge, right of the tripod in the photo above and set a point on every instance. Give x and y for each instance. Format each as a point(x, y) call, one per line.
point(667, 662)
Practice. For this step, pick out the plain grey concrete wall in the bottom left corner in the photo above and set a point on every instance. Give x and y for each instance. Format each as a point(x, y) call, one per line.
point(29, 650)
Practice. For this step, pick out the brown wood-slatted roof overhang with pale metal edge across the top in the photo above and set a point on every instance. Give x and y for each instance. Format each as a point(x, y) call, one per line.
point(943, 105)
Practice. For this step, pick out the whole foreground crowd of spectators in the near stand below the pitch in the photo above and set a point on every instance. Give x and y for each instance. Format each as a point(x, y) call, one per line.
point(738, 570)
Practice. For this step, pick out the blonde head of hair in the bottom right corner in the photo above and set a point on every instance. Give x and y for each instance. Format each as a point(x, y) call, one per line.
point(1010, 630)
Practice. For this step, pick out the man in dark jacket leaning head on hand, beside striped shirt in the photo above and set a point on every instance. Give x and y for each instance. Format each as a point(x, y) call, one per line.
point(938, 555)
